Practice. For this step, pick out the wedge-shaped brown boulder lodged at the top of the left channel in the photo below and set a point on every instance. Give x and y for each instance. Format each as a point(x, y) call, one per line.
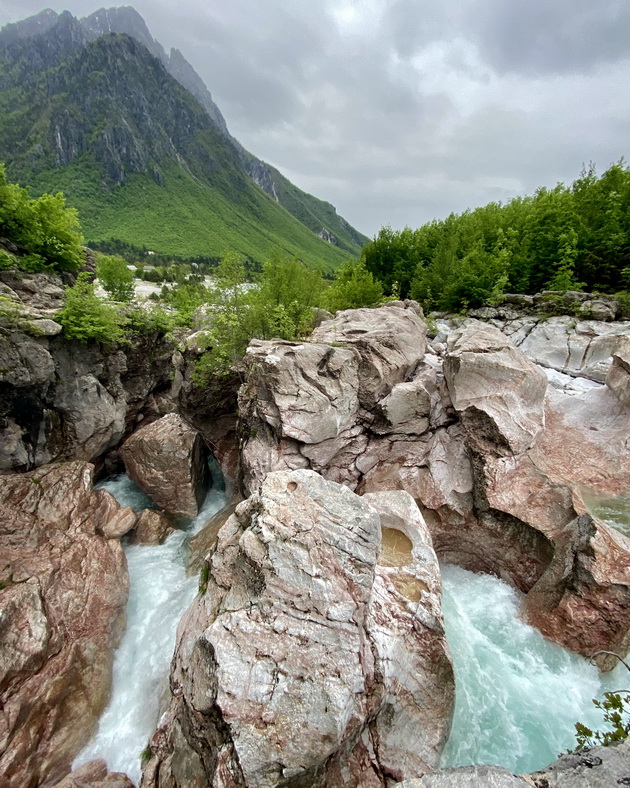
point(167, 459)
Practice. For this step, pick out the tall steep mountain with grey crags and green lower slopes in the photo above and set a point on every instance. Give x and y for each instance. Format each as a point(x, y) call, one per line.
point(98, 109)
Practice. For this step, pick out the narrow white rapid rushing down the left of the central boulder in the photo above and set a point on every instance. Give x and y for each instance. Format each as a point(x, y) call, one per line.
point(160, 592)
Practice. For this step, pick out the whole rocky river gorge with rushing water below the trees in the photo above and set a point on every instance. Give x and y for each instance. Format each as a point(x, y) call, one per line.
point(392, 557)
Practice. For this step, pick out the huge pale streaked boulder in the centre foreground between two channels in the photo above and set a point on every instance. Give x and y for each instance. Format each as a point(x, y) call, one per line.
point(316, 655)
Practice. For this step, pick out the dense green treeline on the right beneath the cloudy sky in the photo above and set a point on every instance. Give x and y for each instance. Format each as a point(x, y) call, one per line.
point(566, 238)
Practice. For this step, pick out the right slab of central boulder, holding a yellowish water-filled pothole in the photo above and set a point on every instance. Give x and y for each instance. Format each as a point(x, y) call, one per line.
point(414, 720)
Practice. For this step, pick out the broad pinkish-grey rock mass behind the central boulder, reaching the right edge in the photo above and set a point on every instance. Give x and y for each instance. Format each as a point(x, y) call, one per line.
point(494, 456)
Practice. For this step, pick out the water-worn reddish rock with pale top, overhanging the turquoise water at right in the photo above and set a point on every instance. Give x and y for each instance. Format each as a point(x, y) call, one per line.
point(528, 500)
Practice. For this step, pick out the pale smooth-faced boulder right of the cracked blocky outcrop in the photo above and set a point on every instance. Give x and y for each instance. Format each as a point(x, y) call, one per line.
point(498, 393)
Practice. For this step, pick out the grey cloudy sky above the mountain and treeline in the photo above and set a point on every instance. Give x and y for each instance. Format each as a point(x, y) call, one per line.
point(399, 111)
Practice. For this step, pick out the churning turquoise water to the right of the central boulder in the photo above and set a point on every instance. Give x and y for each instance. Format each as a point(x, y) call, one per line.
point(518, 696)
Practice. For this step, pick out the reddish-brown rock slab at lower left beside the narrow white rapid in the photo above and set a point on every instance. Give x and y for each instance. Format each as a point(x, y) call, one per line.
point(63, 590)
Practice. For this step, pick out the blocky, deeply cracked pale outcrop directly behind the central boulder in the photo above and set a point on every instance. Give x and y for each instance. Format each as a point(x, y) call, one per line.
point(314, 405)
